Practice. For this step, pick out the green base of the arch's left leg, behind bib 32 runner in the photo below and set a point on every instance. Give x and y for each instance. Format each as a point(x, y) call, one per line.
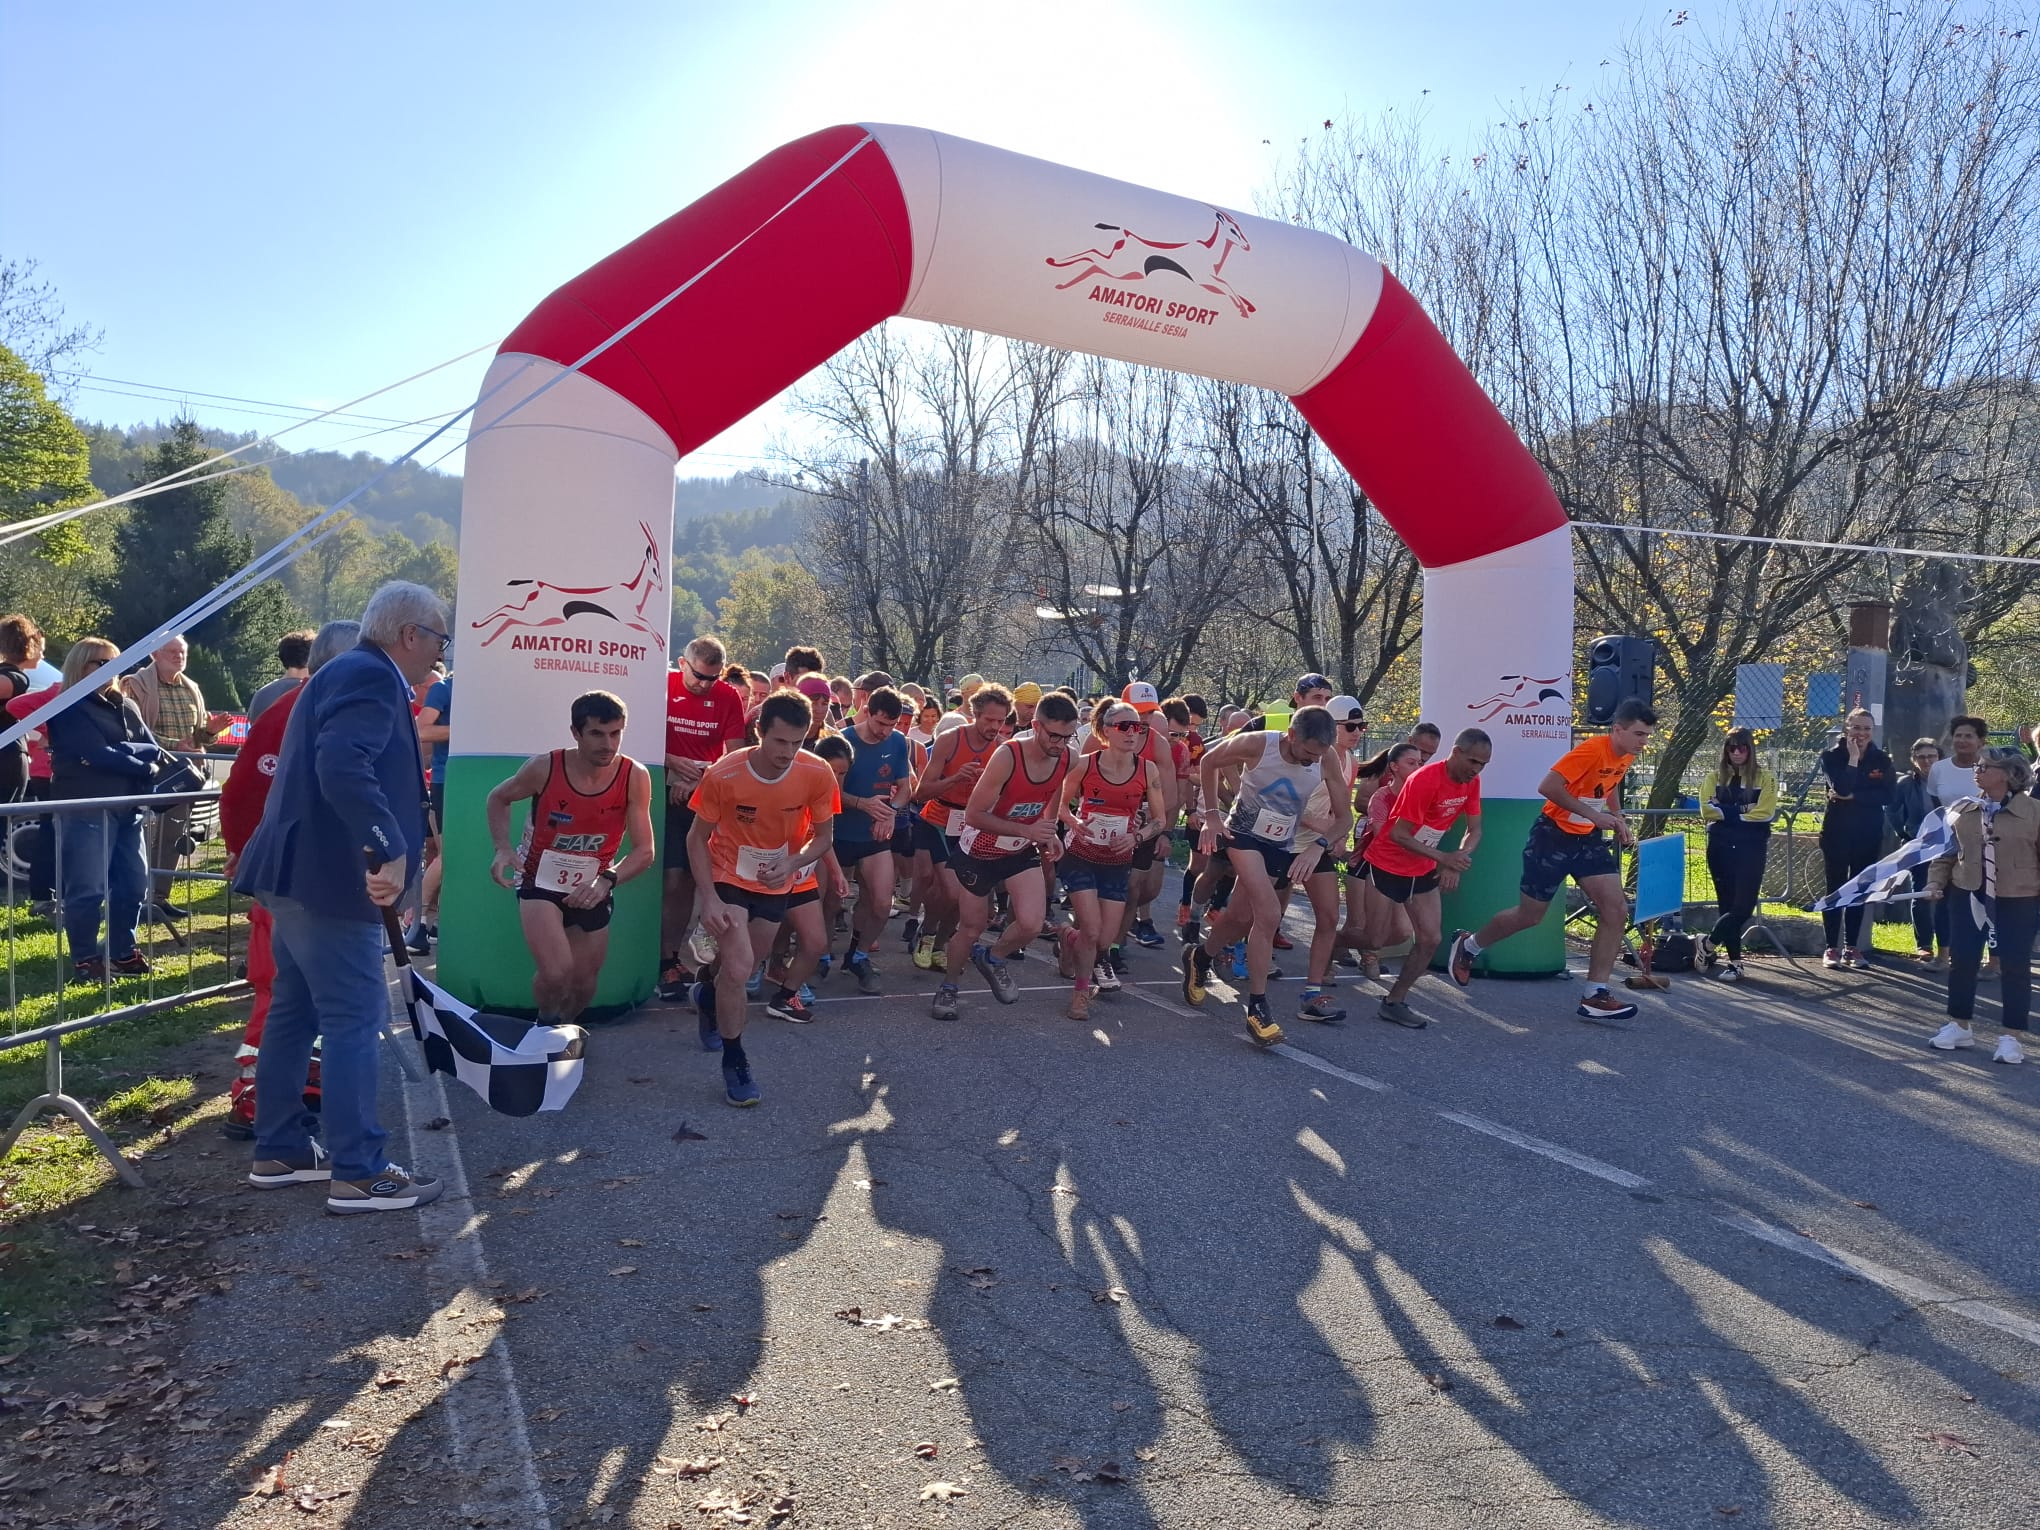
point(482, 956)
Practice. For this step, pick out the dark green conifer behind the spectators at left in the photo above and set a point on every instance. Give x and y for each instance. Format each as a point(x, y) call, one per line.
point(178, 546)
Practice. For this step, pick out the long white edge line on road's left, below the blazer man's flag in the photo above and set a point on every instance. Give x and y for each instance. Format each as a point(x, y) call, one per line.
point(484, 1411)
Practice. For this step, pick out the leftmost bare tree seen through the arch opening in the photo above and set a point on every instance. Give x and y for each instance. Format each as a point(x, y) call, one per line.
point(917, 482)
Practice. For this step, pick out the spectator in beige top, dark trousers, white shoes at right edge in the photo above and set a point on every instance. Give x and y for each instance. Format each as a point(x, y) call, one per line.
point(1992, 878)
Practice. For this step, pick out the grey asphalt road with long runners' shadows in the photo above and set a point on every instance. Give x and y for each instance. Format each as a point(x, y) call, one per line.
point(1757, 1260)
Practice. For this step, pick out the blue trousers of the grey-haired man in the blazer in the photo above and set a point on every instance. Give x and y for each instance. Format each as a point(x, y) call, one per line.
point(329, 984)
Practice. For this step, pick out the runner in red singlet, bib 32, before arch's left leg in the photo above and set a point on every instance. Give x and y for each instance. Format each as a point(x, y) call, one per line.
point(584, 803)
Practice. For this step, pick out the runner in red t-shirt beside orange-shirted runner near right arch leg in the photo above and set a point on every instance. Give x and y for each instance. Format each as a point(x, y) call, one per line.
point(1409, 862)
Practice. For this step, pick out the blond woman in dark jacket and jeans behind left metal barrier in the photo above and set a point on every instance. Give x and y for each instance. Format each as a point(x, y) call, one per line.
point(101, 750)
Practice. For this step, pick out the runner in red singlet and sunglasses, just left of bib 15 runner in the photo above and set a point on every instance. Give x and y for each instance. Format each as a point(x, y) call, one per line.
point(1009, 835)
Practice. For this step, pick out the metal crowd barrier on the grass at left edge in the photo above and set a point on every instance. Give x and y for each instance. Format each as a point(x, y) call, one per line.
point(209, 970)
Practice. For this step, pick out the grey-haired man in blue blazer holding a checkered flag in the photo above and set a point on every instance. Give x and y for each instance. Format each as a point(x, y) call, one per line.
point(350, 788)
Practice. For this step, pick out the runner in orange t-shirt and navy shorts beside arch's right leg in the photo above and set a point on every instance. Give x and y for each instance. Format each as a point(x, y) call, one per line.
point(1578, 835)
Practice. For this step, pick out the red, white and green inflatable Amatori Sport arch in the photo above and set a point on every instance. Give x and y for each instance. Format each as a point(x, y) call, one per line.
point(568, 513)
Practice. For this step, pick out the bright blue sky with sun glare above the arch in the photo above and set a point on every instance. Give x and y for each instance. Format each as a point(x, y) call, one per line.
point(305, 203)
